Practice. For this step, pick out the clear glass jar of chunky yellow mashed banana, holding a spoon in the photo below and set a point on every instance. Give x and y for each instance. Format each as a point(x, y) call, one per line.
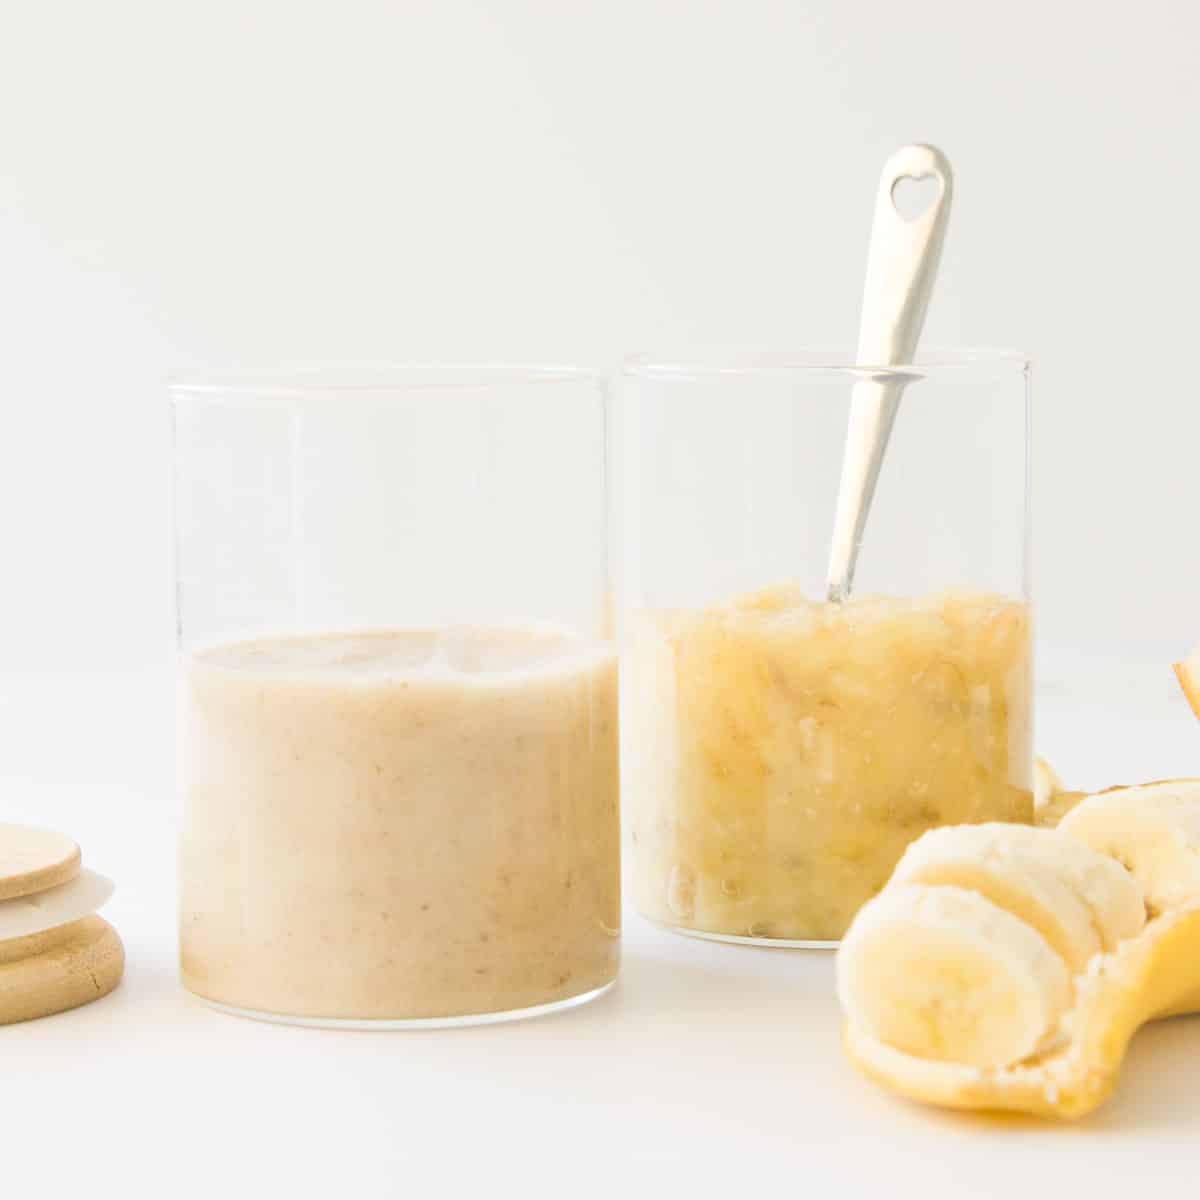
point(782, 752)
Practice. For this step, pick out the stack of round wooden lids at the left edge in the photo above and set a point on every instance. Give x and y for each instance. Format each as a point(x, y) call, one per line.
point(56, 953)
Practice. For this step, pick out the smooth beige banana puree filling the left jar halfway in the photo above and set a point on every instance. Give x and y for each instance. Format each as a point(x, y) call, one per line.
point(400, 826)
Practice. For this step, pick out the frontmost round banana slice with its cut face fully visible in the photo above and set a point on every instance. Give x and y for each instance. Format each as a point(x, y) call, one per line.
point(943, 974)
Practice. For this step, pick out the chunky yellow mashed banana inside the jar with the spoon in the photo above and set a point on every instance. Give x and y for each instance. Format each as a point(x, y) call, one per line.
point(783, 754)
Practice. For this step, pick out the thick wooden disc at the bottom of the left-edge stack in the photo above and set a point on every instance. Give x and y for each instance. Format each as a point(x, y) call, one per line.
point(58, 970)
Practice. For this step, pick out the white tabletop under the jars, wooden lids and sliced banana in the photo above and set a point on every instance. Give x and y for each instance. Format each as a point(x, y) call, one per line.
point(710, 1071)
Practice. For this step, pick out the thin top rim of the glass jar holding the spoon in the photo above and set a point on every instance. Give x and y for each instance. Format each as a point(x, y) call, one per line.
point(835, 362)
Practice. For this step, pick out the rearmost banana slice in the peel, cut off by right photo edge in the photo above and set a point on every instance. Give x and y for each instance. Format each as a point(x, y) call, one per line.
point(1154, 831)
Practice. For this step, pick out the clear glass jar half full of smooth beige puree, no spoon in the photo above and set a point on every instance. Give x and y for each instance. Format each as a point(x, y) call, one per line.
point(399, 695)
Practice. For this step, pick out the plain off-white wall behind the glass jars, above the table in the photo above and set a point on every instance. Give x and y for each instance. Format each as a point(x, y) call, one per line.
point(257, 183)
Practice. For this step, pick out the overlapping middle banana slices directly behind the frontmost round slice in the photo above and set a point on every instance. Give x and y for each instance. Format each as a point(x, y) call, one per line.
point(1078, 901)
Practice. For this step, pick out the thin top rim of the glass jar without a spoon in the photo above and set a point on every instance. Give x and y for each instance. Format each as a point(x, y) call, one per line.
point(373, 379)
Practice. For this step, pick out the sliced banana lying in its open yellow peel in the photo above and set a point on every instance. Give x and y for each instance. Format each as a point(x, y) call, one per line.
point(950, 1005)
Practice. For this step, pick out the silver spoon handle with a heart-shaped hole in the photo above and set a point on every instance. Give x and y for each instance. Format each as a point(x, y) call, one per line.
point(902, 266)
